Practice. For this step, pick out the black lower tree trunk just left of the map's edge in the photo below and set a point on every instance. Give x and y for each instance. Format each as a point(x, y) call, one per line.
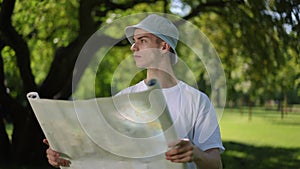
point(27, 138)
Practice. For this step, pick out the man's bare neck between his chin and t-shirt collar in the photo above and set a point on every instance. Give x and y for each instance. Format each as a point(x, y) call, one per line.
point(166, 78)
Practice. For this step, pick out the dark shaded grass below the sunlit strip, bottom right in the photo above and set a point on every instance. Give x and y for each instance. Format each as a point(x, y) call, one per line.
point(245, 156)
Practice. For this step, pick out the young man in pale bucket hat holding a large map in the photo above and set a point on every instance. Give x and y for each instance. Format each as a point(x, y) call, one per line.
point(154, 41)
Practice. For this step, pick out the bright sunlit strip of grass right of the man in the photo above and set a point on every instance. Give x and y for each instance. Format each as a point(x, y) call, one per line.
point(266, 128)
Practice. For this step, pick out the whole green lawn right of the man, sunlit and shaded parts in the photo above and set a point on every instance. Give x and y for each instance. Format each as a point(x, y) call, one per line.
point(264, 142)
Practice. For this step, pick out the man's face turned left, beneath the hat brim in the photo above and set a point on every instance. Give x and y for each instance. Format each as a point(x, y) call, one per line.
point(146, 49)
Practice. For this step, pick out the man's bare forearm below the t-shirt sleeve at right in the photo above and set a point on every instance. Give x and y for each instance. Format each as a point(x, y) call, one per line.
point(209, 159)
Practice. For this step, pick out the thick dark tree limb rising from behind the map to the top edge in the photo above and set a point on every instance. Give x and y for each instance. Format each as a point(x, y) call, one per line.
point(58, 83)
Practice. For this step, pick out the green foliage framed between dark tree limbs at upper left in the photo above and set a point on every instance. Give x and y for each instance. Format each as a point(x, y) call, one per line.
point(46, 26)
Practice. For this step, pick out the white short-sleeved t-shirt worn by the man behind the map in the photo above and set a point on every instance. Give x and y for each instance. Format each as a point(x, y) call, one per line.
point(192, 113)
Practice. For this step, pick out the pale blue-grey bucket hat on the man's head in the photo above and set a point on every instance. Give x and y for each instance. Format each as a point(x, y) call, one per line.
point(160, 27)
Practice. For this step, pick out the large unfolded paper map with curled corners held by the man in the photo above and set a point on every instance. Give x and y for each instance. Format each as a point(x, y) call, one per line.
point(129, 131)
